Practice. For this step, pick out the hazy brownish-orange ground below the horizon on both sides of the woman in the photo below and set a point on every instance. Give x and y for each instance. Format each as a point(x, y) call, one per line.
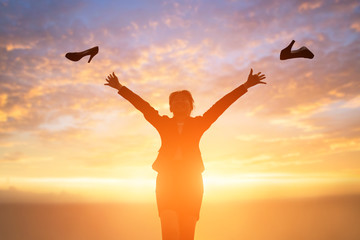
point(326, 218)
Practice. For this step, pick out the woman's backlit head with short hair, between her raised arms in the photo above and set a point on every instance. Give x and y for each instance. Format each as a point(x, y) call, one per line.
point(181, 102)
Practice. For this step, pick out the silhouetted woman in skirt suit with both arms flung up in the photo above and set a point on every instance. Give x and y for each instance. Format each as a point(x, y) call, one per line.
point(179, 184)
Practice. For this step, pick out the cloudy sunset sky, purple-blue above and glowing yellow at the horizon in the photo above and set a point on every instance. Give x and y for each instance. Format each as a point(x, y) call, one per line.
point(64, 136)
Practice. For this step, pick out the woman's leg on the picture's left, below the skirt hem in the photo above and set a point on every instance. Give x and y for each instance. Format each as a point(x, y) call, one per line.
point(170, 228)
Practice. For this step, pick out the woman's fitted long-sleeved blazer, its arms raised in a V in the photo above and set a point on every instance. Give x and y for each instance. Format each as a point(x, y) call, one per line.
point(187, 143)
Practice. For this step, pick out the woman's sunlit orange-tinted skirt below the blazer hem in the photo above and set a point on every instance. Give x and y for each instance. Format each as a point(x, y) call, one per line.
point(181, 193)
